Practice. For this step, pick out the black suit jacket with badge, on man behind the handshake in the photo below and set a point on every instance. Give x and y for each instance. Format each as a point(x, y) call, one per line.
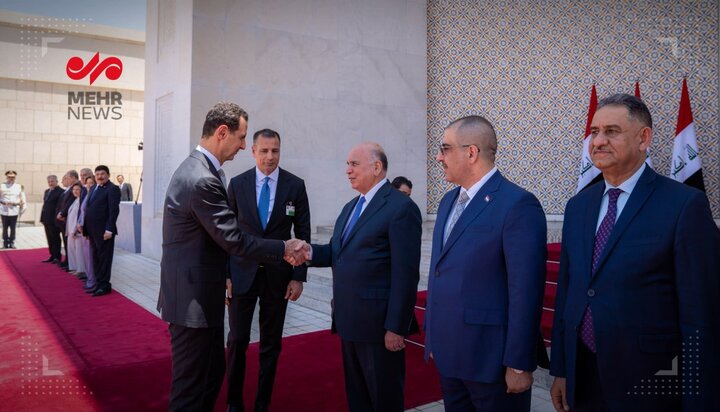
point(290, 191)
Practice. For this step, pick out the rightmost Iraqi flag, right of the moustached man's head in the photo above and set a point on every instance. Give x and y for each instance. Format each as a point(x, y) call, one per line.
point(686, 166)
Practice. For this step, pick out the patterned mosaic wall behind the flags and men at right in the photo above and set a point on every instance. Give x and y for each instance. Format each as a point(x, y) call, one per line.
point(529, 66)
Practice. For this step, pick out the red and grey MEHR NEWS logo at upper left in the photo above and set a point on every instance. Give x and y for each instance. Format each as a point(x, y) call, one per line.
point(88, 105)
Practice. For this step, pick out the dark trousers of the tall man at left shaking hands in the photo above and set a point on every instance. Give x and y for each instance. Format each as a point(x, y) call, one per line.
point(198, 359)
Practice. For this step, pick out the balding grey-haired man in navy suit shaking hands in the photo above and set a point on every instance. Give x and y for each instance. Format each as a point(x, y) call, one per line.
point(375, 256)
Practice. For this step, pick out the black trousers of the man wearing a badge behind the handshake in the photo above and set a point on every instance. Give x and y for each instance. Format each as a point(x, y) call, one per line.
point(273, 306)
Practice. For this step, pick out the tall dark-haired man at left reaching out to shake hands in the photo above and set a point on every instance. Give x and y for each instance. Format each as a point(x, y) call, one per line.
point(199, 231)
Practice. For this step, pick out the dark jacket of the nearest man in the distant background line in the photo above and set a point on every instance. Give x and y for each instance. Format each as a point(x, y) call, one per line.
point(102, 210)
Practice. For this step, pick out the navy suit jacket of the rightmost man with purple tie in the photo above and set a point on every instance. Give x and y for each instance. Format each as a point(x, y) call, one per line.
point(655, 289)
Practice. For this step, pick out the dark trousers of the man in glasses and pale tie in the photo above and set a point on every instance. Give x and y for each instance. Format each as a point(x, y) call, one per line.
point(467, 396)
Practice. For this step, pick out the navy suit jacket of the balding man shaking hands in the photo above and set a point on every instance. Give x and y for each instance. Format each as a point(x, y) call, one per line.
point(376, 269)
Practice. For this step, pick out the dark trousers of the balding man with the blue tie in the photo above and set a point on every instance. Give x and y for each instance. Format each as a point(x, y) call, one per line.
point(374, 377)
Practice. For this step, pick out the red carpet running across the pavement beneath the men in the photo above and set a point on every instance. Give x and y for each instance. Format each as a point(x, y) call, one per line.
point(115, 356)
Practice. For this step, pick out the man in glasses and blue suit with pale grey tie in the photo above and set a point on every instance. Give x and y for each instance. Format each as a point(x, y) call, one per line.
point(487, 275)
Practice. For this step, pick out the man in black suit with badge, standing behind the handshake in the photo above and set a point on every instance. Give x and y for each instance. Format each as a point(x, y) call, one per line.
point(269, 203)
